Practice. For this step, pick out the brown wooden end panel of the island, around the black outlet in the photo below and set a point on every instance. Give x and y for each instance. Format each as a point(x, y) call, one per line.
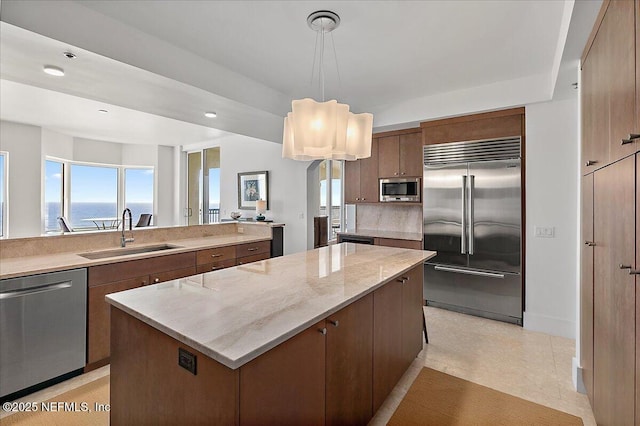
point(148, 387)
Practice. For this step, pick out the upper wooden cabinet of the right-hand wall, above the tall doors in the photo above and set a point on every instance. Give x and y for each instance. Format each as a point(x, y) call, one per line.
point(609, 93)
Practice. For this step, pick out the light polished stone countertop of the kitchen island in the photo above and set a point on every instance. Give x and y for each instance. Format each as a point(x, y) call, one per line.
point(235, 315)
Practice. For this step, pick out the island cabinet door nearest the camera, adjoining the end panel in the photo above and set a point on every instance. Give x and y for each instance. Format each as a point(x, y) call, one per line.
point(286, 382)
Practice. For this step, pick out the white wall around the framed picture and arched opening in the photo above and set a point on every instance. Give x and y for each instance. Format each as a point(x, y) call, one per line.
point(287, 185)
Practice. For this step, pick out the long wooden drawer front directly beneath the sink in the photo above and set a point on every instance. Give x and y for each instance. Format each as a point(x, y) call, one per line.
point(103, 274)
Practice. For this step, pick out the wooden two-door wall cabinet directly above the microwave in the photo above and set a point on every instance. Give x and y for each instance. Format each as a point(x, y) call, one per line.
point(400, 155)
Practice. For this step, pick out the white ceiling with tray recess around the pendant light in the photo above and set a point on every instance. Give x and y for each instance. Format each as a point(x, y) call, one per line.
point(247, 59)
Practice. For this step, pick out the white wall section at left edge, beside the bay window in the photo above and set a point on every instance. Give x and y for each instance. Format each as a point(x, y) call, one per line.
point(22, 142)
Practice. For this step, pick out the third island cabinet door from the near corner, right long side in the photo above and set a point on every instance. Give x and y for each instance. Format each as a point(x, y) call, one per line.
point(388, 363)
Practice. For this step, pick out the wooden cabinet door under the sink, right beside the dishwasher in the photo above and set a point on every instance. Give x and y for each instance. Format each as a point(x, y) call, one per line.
point(98, 322)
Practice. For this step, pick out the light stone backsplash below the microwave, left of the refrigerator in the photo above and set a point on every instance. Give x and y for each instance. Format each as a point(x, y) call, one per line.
point(388, 217)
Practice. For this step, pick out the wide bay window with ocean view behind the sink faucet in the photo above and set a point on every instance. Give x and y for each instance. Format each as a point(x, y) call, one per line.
point(92, 196)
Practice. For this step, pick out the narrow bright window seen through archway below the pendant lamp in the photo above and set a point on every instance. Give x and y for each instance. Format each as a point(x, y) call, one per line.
point(331, 195)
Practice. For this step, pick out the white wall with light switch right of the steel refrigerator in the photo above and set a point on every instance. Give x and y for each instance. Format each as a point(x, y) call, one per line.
point(552, 184)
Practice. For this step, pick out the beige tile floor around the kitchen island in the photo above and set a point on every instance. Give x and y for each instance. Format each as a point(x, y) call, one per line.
point(505, 357)
